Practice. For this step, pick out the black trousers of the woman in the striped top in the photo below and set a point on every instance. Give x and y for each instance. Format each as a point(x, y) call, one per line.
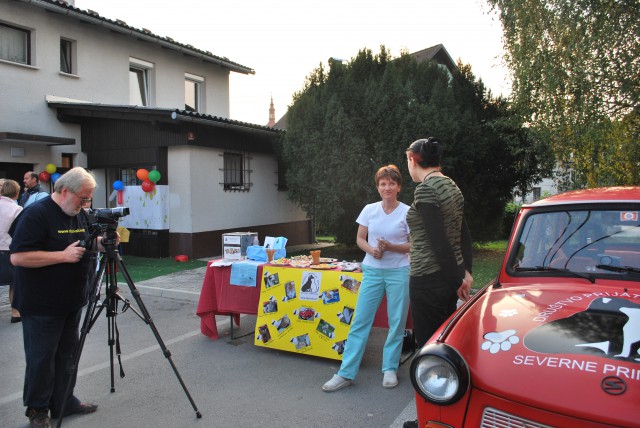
point(432, 300)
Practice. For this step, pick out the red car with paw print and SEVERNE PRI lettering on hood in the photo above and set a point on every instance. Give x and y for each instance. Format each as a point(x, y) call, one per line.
point(554, 340)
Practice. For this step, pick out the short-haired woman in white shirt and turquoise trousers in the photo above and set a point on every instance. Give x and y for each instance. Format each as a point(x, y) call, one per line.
point(383, 234)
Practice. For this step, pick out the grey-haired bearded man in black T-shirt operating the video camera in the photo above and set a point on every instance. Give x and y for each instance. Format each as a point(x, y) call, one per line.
point(51, 272)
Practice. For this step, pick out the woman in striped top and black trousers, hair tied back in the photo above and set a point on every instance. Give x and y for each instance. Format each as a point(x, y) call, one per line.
point(441, 251)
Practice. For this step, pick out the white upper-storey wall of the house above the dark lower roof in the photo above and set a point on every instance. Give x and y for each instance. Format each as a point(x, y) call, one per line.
point(102, 61)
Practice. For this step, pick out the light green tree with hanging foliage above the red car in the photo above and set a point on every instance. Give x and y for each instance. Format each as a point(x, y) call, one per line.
point(576, 79)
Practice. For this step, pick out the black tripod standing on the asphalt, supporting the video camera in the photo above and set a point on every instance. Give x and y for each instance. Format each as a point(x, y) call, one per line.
point(108, 263)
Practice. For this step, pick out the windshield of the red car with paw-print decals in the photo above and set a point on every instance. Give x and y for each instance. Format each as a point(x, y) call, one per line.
point(582, 241)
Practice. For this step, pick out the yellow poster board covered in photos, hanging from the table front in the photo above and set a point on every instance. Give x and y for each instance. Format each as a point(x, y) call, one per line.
point(306, 311)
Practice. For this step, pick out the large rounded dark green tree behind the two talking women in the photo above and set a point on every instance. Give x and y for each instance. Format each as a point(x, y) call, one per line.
point(351, 119)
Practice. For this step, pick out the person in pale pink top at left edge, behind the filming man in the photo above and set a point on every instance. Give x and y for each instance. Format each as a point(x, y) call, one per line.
point(9, 210)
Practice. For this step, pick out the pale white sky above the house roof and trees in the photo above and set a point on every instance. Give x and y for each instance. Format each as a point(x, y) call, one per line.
point(284, 40)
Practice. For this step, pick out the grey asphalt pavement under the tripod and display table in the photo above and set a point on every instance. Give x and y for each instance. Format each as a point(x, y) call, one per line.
point(231, 382)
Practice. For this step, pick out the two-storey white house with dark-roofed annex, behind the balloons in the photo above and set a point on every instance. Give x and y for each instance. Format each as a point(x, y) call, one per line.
point(80, 89)
